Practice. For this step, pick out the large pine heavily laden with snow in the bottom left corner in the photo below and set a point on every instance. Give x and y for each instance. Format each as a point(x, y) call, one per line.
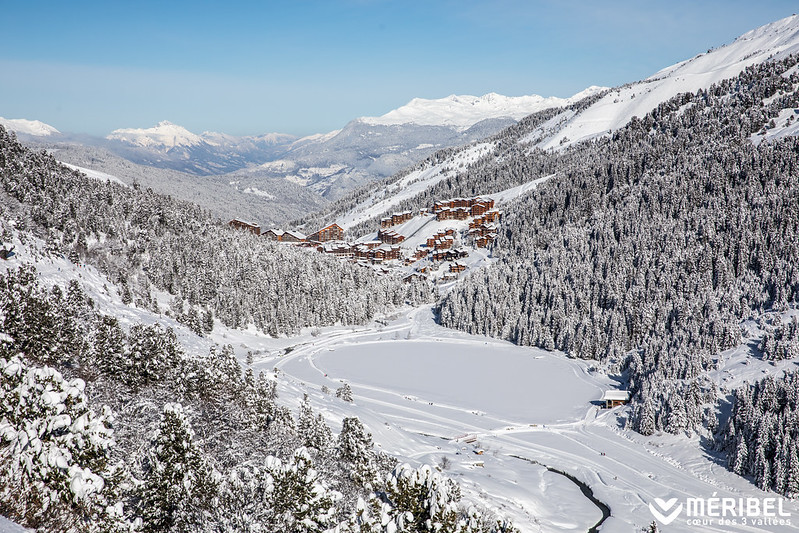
point(55, 470)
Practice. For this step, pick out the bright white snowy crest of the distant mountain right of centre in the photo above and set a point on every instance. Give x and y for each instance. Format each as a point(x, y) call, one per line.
point(465, 110)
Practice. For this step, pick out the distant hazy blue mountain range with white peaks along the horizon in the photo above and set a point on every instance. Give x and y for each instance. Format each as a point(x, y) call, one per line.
point(329, 164)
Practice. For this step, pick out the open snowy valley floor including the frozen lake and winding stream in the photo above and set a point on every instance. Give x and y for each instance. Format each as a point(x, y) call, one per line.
point(427, 393)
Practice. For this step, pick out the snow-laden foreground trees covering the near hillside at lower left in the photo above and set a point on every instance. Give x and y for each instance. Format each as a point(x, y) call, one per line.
point(112, 429)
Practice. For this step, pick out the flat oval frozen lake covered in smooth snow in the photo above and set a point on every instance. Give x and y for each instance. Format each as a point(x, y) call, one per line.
point(506, 381)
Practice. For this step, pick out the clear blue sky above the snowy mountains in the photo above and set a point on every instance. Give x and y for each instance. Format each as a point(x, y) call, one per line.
point(304, 67)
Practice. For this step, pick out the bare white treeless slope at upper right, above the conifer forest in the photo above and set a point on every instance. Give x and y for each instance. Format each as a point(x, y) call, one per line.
point(615, 109)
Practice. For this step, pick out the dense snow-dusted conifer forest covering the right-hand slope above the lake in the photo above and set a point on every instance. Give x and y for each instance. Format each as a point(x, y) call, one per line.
point(653, 246)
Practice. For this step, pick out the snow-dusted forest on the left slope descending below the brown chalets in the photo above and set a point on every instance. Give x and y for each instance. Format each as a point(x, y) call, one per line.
point(144, 242)
